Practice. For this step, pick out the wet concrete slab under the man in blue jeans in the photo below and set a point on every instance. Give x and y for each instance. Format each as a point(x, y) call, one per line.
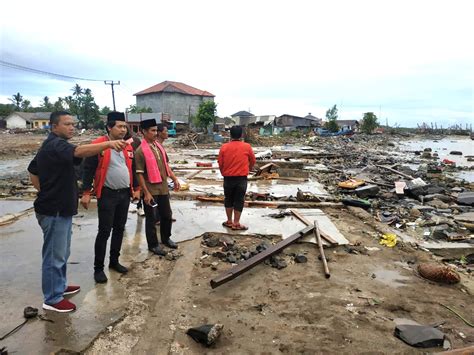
point(20, 277)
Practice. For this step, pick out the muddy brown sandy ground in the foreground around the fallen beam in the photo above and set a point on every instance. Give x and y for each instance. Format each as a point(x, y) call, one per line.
point(293, 310)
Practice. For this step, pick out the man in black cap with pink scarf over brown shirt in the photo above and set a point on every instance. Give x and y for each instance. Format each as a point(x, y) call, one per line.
point(153, 172)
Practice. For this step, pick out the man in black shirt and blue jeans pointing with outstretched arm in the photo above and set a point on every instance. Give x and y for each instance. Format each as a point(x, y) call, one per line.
point(52, 174)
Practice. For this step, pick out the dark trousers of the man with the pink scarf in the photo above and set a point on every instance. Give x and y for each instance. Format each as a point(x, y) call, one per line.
point(164, 213)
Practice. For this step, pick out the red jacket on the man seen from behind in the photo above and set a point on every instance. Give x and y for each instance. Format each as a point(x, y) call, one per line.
point(236, 158)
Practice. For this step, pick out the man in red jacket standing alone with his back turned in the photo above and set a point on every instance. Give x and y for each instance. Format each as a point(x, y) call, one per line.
point(236, 159)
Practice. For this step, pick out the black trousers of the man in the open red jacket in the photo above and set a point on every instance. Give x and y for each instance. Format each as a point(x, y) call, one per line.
point(113, 211)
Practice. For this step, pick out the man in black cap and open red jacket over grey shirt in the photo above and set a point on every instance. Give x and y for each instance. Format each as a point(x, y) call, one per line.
point(113, 174)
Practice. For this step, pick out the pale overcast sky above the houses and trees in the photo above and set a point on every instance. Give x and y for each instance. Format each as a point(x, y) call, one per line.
point(407, 61)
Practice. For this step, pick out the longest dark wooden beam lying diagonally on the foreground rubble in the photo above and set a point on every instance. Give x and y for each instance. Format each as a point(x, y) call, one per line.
point(248, 264)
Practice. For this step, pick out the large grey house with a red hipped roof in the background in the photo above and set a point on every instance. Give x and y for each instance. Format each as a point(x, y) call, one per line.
point(178, 100)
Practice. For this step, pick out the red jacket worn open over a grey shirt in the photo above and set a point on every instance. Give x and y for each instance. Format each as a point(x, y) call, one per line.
point(96, 167)
